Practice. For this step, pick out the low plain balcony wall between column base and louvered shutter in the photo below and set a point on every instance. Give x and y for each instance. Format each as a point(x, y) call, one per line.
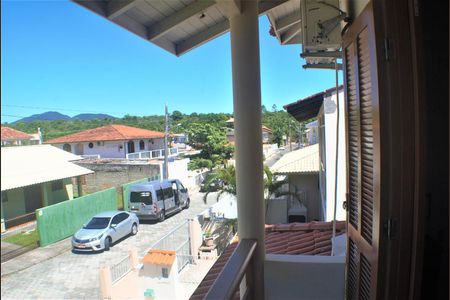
point(304, 277)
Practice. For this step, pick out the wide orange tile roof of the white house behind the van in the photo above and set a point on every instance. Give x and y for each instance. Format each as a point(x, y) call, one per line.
point(108, 133)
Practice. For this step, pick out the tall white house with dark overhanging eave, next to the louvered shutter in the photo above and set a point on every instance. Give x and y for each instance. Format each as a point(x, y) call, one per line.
point(323, 106)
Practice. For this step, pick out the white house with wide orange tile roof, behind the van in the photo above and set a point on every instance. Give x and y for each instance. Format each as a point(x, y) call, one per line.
point(111, 141)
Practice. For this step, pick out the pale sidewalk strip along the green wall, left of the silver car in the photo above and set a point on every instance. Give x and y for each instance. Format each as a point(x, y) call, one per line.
point(34, 257)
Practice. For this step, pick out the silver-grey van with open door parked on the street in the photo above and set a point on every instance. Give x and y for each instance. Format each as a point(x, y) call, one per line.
point(157, 199)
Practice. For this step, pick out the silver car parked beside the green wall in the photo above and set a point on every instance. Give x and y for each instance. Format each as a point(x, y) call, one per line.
point(104, 229)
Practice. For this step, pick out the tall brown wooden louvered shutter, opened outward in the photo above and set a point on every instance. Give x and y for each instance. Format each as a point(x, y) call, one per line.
point(361, 84)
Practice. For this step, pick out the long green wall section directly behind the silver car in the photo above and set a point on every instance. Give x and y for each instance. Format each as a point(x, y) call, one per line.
point(61, 220)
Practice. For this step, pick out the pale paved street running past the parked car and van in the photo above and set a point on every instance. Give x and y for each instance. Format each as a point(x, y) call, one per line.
point(66, 275)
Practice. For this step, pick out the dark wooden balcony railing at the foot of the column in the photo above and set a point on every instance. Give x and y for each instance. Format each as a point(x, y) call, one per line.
point(237, 274)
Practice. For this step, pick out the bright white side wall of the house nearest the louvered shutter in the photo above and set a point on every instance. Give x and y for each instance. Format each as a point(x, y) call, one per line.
point(330, 115)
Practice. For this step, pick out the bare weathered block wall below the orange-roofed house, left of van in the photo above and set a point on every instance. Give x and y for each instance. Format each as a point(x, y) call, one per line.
point(107, 175)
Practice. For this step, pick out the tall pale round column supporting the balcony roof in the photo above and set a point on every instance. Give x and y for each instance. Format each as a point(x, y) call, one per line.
point(247, 121)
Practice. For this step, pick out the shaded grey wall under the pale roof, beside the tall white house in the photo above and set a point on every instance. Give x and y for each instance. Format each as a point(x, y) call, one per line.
point(309, 184)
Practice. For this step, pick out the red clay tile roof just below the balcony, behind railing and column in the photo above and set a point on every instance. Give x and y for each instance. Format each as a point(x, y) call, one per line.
point(312, 238)
